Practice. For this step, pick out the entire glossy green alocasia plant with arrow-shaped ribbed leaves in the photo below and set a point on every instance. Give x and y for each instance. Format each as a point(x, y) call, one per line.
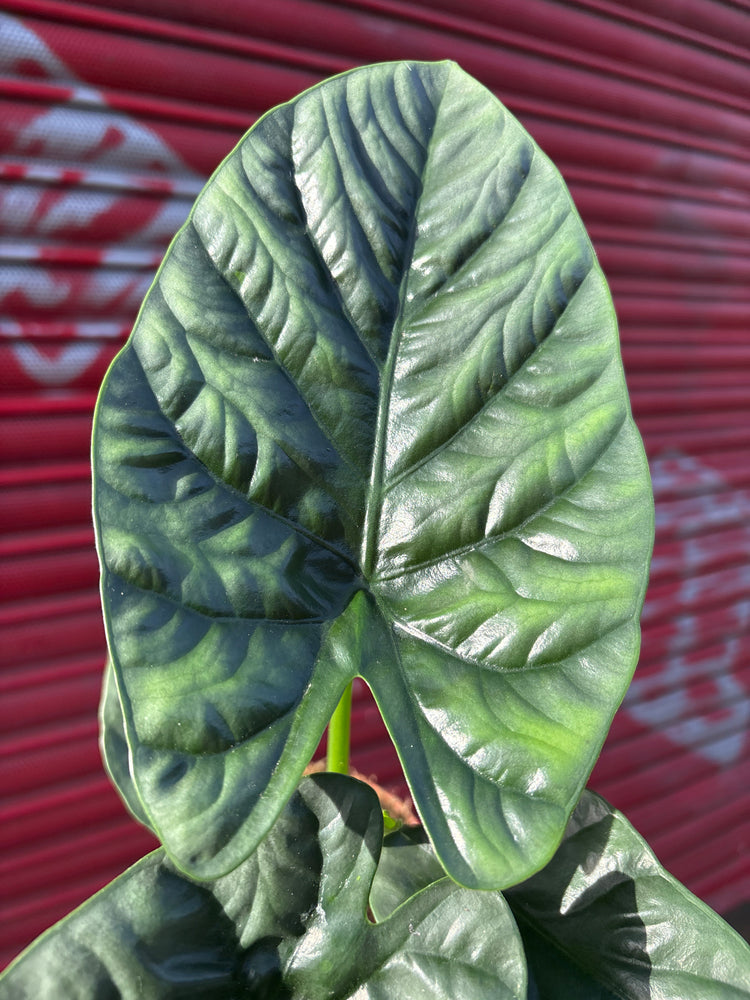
point(372, 421)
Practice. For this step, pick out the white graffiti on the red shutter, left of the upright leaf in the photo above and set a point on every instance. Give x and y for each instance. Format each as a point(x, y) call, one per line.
point(75, 139)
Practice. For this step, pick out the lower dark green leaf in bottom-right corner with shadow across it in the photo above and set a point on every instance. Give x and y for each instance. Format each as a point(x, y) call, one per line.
point(605, 921)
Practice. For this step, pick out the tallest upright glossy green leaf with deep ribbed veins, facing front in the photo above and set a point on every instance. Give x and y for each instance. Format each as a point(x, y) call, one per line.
point(372, 420)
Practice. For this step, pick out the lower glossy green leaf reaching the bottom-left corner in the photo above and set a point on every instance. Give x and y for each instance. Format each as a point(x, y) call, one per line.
point(290, 923)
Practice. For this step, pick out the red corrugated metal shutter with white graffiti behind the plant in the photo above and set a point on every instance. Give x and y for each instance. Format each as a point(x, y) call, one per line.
point(111, 116)
